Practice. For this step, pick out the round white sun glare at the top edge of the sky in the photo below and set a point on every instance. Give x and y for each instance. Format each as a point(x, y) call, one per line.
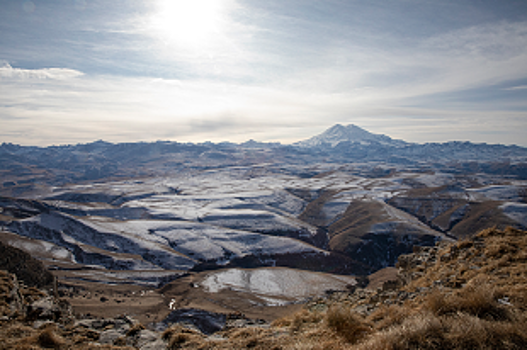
point(191, 23)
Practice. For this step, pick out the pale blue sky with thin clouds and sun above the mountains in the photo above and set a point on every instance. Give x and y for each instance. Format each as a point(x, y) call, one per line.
point(77, 71)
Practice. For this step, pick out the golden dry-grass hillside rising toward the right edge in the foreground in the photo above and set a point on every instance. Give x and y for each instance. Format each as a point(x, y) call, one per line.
point(435, 304)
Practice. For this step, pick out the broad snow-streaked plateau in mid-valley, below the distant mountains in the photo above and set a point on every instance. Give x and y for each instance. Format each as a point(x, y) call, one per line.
point(260, 204)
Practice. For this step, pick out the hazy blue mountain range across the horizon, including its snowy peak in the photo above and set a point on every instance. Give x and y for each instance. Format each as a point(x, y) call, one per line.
point(24, 166)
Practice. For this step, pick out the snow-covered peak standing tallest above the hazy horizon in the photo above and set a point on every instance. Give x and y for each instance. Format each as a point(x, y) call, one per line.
point(349, 133)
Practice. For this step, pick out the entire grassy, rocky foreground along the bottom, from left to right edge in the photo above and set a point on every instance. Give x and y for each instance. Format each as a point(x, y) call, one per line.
point(470, 294)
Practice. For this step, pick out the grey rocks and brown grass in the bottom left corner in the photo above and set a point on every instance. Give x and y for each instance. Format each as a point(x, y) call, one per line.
point(47, 322)
